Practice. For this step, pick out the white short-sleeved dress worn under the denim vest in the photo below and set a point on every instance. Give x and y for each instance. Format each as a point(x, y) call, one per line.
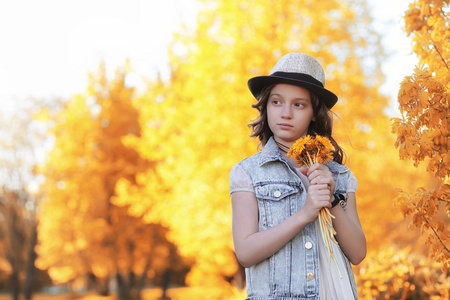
point(334, 283)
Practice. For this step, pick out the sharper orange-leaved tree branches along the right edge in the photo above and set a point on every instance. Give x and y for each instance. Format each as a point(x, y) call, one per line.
point(423, 130)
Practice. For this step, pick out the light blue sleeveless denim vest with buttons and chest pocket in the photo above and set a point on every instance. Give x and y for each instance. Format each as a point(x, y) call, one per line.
point(293, 271)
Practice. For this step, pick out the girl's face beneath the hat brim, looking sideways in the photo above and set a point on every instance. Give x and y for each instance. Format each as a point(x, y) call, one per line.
point(289, 113)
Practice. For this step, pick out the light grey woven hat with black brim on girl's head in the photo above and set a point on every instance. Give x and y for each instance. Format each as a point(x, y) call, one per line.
point(297, 69)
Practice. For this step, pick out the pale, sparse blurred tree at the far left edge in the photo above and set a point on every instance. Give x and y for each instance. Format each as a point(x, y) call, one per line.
point(20, 140)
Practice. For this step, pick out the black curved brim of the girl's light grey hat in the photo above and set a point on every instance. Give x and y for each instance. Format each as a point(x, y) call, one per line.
point(257, 84)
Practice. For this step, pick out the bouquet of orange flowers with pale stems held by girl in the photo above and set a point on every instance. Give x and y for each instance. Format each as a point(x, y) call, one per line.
point(307, 151)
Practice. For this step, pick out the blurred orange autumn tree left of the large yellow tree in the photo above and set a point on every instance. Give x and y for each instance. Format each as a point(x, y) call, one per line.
point(81, 231)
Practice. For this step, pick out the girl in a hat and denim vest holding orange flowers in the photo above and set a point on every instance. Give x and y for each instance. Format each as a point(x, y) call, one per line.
point(276, 203)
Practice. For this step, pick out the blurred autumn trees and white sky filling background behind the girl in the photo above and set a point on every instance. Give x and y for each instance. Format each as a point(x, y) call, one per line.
point(120, 122)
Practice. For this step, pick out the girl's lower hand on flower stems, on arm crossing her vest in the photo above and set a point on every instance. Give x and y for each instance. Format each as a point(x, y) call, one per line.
point(319, 196)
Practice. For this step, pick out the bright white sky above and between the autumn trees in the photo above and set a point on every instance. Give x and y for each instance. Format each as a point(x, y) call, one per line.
point(49, 46)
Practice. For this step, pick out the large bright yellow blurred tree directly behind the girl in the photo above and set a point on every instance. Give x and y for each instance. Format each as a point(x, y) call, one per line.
point(196, 123)
